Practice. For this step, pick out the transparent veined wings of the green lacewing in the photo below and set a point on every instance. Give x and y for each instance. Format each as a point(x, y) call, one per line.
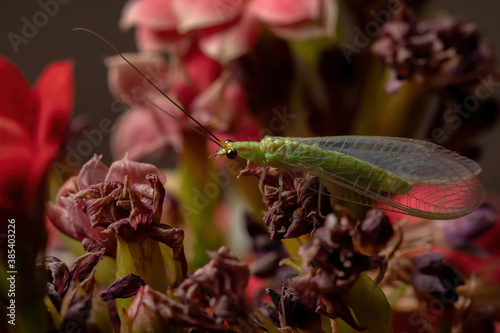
point(444, 184)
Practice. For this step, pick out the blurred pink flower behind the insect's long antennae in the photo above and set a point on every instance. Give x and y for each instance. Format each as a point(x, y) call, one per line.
point(200, 86)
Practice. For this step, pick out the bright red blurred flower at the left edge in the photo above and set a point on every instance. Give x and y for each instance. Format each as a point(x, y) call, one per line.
point(33, 127)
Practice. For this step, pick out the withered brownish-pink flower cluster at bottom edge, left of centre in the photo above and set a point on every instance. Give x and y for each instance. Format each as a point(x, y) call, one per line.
point(219, 286)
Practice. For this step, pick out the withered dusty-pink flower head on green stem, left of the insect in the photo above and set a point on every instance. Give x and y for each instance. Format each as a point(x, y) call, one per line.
point(124, 200)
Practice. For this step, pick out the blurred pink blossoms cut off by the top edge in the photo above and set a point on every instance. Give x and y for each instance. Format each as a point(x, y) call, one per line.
point(225, 29)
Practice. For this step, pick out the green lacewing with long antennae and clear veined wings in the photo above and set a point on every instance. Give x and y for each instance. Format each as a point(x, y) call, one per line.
point(403, 175)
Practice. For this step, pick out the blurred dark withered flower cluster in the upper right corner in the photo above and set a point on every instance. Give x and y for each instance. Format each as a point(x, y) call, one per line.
point(441, 51)
